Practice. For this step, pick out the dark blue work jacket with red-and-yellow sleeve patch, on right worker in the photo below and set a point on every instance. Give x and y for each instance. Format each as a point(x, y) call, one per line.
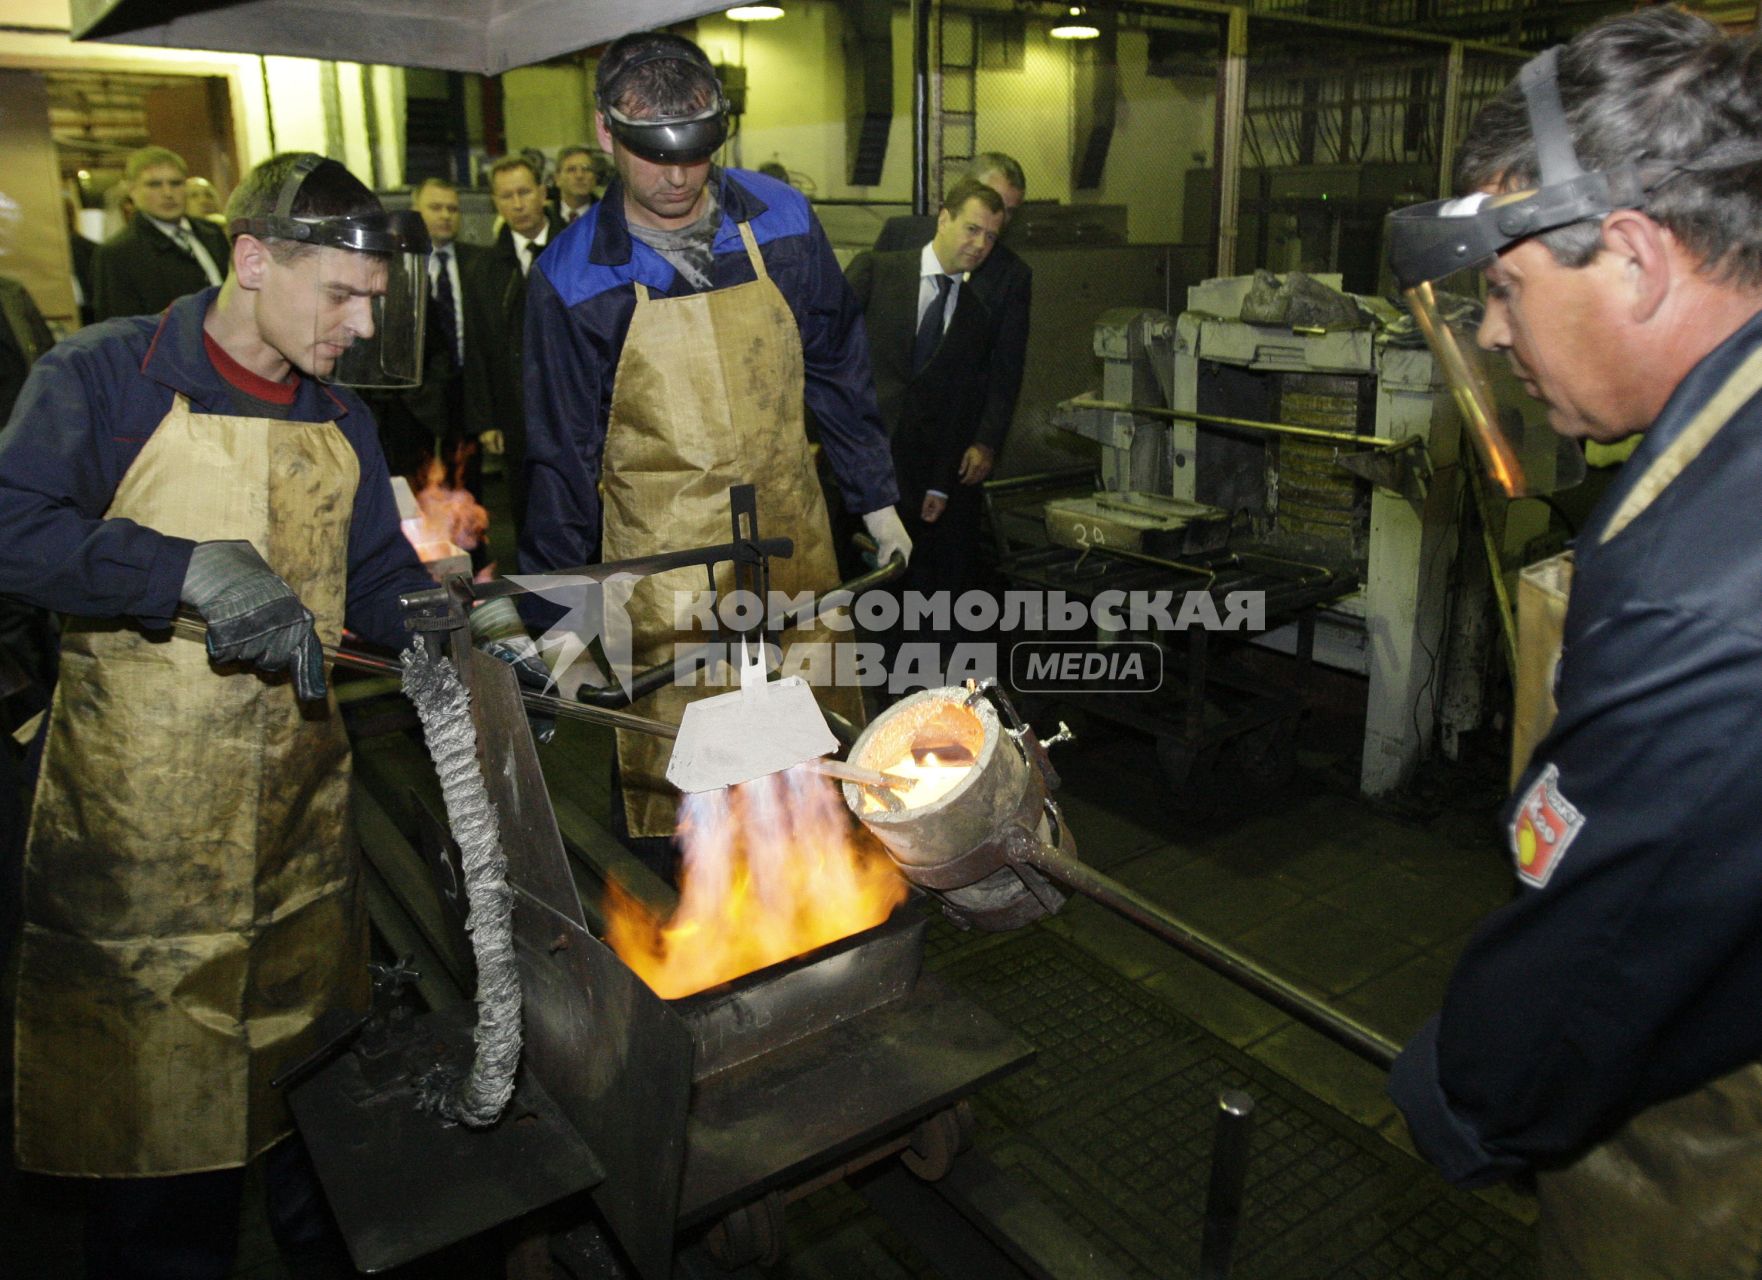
point(1629, 971)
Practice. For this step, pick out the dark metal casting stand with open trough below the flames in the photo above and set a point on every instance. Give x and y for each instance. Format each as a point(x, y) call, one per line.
point(692, 1119)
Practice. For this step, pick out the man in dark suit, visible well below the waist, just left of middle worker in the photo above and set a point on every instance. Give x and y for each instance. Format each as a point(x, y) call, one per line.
point(496, 311)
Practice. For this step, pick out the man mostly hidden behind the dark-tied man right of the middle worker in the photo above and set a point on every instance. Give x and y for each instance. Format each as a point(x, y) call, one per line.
point(1005, 283)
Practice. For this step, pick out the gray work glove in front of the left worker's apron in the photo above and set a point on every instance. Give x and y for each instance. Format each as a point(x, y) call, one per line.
point(253, 616)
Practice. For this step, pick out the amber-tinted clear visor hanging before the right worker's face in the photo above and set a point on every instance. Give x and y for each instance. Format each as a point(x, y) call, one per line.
point(1523, 456)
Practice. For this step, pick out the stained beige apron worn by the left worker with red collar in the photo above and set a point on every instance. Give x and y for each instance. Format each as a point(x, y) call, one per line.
point(189, 889)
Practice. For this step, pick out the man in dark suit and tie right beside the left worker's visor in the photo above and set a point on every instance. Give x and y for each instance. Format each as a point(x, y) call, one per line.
point(429, 420)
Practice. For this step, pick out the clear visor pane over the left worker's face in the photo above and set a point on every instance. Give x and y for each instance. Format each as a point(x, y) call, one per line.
point(369, 320)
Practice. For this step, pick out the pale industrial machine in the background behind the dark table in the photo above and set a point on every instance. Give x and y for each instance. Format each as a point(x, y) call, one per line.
point(1305, 456)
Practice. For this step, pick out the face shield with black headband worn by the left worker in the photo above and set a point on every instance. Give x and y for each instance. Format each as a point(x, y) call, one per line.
point(374, 316)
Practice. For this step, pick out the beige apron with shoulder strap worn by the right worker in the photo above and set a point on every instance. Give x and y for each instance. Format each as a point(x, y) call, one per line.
point(1677, 1193)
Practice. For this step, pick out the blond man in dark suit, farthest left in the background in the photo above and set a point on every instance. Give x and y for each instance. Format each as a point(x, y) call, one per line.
point(161, 255)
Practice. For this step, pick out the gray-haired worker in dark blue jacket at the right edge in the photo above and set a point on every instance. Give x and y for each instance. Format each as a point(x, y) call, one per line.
point(1603, 1031)
